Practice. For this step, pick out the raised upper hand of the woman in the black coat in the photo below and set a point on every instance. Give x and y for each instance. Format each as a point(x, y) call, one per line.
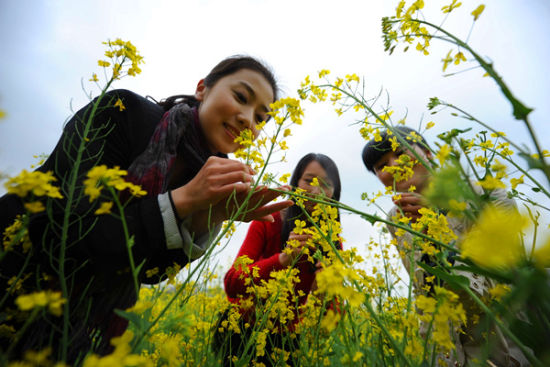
point(217, 179)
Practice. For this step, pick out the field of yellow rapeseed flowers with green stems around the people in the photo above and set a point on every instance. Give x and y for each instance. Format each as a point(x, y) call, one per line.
point(353, 317)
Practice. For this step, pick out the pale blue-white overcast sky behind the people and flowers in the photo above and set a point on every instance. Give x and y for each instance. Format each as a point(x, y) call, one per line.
point(51, 48)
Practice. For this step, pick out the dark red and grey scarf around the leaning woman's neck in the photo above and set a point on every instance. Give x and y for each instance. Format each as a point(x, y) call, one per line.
point(178, 134)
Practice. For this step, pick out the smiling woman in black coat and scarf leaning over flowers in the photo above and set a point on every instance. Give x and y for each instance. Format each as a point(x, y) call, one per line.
point(174, 154)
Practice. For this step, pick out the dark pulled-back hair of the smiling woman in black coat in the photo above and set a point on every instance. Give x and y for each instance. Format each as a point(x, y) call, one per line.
point(226, 67)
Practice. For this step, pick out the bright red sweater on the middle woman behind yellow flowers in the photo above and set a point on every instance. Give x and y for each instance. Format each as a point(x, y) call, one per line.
point(263, 246)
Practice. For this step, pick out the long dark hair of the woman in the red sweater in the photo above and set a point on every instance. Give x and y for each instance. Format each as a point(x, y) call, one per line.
point(295, 212)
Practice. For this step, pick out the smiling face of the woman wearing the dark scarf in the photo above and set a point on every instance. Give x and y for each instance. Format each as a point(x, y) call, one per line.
point(235, 102)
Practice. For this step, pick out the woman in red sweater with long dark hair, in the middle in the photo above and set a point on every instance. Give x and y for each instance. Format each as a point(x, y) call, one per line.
point(316, 174)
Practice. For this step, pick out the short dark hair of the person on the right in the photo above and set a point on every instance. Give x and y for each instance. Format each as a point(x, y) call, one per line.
point(374, 150)
